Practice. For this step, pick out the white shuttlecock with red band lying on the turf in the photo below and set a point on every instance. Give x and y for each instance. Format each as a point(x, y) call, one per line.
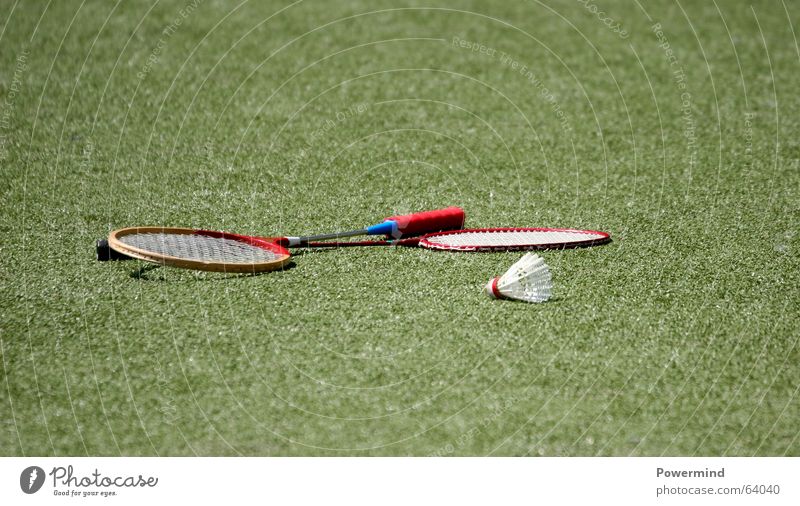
point(528, 280)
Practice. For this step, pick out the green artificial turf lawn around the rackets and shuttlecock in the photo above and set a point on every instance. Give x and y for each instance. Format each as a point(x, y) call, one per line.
point(679, 338)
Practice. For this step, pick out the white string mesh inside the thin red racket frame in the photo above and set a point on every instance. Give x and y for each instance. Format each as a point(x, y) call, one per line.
point(511, 238)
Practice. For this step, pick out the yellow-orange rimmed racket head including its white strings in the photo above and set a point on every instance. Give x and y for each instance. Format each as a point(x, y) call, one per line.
point(203, 250)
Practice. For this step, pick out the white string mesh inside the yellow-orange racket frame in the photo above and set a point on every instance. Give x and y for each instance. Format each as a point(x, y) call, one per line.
point(200, 248)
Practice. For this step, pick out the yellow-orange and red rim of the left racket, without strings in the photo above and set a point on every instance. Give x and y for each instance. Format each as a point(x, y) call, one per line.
point(115, 242)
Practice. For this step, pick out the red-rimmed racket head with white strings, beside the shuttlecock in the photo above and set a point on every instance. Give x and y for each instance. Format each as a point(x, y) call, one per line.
point(513, 239)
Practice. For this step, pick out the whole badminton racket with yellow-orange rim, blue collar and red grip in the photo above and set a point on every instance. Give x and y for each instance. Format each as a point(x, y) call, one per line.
point(225, 252)
